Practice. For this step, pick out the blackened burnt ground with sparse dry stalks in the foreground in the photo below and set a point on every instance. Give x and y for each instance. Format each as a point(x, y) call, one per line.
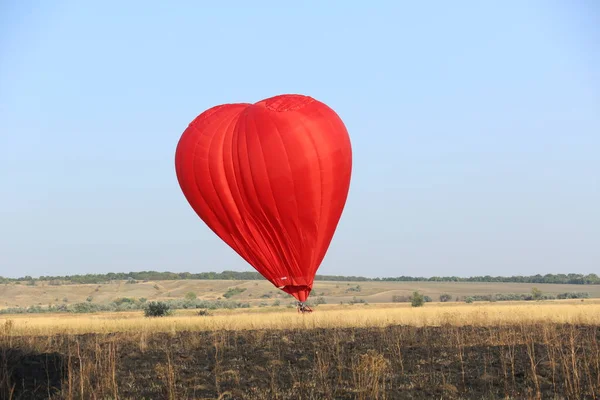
point(399, 362)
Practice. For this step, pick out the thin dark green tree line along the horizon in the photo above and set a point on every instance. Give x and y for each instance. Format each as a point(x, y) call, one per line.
point(132, 277)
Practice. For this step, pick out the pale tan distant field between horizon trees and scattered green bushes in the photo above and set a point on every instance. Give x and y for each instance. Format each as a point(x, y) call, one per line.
point(13, 295)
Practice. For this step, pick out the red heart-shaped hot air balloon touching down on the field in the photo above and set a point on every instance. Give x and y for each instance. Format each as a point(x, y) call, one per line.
point(271, 180)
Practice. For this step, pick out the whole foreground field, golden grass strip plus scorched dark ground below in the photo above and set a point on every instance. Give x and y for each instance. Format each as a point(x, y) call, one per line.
point(504, 350)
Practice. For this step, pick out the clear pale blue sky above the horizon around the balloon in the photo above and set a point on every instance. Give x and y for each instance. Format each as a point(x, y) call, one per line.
point(475, 128)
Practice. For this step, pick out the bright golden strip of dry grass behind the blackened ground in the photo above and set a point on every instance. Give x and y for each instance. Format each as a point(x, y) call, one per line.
point(326, 316)
